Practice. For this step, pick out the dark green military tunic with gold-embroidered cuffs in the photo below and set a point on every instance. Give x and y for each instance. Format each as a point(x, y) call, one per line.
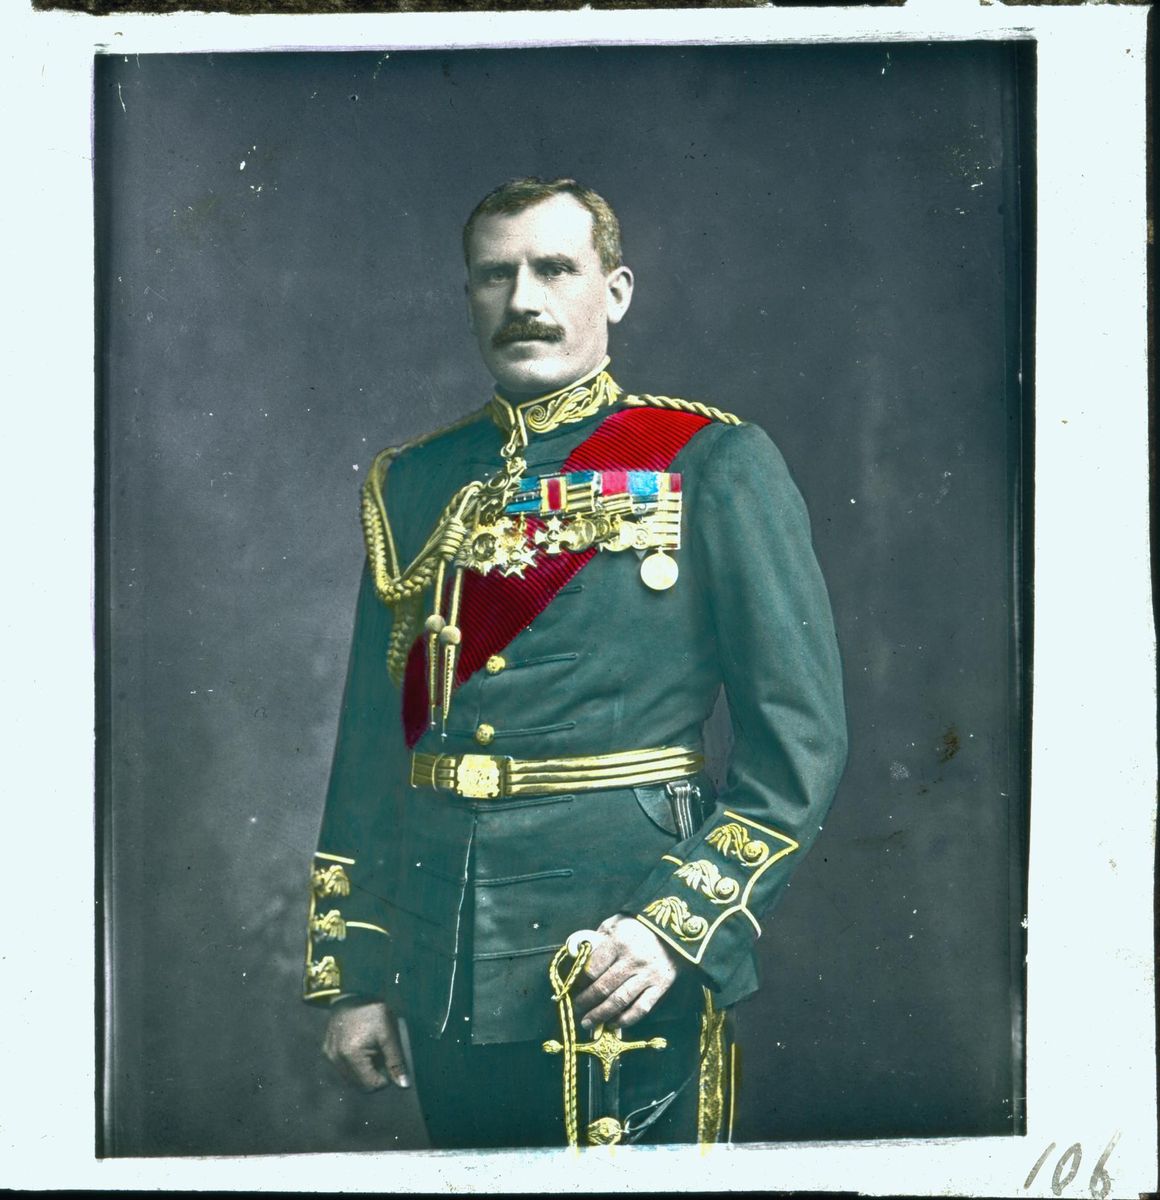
point(610, 665)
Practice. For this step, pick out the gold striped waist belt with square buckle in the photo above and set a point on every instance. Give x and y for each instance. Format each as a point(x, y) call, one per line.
point(484, 777)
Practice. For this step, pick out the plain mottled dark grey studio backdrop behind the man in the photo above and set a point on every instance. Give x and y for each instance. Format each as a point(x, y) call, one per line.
point(827, 242)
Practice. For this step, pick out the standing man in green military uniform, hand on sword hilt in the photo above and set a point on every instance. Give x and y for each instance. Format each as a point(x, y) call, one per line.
point(522, 853)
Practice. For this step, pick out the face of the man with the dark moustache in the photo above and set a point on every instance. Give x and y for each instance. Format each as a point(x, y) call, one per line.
point(539, 302)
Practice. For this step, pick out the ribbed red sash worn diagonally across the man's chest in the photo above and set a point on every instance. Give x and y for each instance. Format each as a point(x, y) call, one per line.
point(496, 608)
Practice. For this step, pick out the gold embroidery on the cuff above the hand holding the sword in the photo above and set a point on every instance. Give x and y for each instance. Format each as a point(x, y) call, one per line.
point(732, 839)
